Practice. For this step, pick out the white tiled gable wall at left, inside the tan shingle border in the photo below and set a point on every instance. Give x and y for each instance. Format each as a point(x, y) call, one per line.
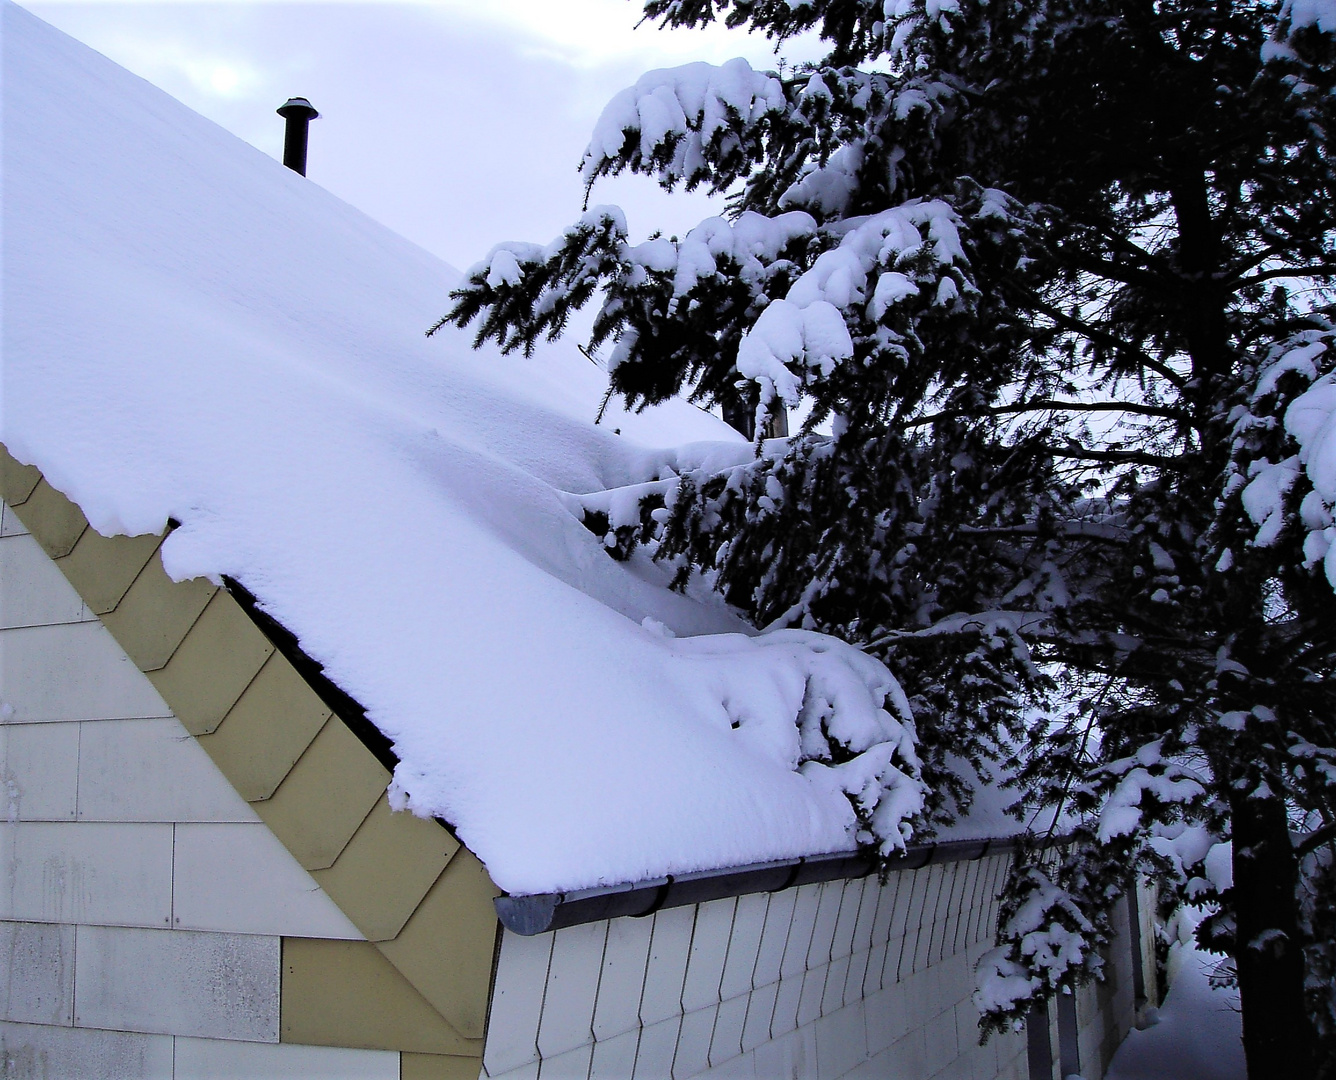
point(142, 902)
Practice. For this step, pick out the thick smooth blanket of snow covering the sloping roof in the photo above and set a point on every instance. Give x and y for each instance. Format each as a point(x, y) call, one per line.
point(193, 332)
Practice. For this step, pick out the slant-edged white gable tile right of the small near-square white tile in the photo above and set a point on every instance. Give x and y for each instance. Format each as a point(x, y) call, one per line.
point(152, 771)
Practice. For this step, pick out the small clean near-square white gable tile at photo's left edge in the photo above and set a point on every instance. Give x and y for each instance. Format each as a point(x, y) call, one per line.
point(41, 769)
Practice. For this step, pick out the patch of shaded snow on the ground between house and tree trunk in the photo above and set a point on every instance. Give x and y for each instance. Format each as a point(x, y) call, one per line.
point(1195, 1034)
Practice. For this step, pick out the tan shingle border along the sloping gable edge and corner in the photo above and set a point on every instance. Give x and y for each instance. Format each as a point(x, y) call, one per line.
point(422, 979)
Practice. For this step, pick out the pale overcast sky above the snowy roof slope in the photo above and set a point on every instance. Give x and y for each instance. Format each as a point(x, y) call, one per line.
point(456, 124)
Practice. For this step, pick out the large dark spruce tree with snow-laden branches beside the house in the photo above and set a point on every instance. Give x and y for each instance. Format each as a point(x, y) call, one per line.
point(1051, 284)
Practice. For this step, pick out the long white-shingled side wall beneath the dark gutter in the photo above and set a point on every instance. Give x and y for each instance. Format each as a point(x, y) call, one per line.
point(842, 979)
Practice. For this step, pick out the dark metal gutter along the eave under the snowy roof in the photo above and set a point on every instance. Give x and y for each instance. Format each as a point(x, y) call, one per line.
point(540, 912)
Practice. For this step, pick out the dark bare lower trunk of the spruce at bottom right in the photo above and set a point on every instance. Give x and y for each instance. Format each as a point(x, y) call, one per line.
point(1278, 1038)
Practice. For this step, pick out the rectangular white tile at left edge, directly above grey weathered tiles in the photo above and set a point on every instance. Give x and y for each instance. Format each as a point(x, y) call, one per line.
point(77, 872)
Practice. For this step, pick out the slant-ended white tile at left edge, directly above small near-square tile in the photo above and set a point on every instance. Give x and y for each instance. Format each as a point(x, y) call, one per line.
point(71, 673)
